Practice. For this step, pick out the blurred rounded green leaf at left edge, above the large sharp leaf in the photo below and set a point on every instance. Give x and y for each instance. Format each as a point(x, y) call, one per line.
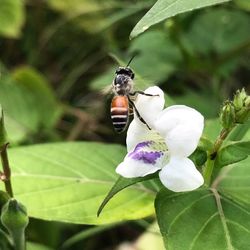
point(28, 103)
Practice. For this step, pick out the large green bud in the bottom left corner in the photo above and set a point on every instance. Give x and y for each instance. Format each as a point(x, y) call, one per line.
point(14, 216)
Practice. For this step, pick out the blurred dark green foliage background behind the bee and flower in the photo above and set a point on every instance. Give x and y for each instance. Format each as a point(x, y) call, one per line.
point(58, 56)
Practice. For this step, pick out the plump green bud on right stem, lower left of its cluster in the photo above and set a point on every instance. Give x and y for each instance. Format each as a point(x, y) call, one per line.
point(227, 116)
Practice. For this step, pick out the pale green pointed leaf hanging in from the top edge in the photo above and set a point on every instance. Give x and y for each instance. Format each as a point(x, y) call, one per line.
point(164, 9)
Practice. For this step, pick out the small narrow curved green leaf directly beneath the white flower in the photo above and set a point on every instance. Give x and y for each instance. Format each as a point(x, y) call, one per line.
point(121, 184)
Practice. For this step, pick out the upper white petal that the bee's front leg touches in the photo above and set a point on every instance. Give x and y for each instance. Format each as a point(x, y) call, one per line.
point(150, 106)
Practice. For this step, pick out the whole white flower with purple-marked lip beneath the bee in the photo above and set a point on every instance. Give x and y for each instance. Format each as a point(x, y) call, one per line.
point(174, 135)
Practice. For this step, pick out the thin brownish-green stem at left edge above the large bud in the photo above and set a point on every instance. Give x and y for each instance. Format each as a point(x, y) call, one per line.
point(6, 170)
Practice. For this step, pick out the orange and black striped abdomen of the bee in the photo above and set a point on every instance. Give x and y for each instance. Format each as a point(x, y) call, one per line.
point(120, 113)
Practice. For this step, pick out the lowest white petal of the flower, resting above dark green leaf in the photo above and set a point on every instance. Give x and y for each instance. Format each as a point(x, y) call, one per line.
point(180, 175)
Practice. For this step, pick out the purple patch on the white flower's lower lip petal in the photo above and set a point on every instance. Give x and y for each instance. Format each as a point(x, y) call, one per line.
point(145, 156)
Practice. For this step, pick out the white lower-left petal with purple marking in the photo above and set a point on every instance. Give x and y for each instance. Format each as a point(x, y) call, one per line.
point(141, 161)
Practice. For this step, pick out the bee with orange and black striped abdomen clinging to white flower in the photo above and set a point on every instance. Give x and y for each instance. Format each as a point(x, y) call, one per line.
point(120, 105)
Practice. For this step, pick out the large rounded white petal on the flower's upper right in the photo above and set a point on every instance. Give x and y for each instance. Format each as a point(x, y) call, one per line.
point(182, 127)
